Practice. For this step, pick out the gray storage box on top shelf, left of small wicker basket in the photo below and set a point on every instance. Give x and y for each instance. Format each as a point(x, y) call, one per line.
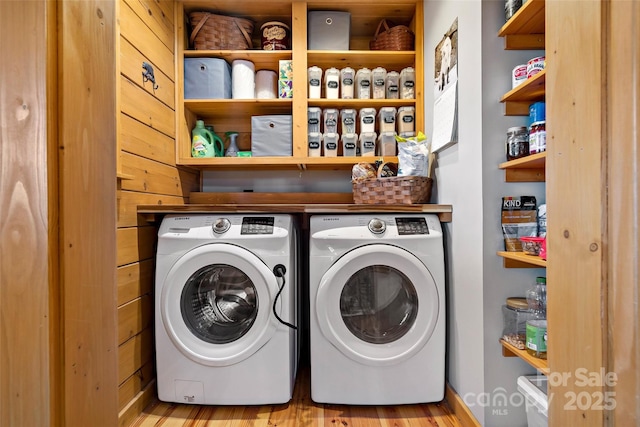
point(328, 30)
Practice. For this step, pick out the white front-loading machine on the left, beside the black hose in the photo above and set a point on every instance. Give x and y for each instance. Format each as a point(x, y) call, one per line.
point(226, 309)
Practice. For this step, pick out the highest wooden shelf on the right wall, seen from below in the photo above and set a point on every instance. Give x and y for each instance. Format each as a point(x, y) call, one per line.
point(525, 29)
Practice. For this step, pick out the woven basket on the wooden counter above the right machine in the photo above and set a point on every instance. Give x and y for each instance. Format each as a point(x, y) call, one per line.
point(397, 190)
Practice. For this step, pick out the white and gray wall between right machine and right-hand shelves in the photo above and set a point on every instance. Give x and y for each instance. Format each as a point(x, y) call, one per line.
point(468, 178)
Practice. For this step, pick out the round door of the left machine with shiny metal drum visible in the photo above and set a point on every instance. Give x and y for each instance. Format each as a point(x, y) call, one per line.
point(216, 304)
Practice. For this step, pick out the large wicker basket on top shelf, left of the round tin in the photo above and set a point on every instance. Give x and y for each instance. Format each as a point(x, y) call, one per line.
point(219, 32)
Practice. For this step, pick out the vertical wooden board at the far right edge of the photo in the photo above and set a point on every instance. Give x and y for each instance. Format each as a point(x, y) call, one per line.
point(623, 64)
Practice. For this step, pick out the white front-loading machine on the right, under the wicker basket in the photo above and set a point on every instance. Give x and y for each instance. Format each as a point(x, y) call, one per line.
point(377, 307)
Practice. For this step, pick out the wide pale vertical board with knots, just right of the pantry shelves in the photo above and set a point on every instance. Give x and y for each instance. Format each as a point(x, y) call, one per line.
point(576, 195)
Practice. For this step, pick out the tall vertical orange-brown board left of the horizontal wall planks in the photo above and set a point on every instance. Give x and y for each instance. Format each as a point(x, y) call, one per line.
point(87, 209)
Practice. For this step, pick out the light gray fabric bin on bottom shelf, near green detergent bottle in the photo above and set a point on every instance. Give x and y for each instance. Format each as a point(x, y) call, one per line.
point(271, 135)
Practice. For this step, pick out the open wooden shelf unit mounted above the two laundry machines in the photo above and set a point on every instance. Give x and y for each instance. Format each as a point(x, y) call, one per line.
point(235, 115)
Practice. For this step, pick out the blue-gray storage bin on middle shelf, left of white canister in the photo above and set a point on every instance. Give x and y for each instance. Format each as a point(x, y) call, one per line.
point(207, 78)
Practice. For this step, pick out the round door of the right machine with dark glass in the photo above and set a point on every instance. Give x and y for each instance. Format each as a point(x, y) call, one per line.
point(378, 305)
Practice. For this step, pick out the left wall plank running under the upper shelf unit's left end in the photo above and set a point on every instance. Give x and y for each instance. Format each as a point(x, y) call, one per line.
point(152, 177)
